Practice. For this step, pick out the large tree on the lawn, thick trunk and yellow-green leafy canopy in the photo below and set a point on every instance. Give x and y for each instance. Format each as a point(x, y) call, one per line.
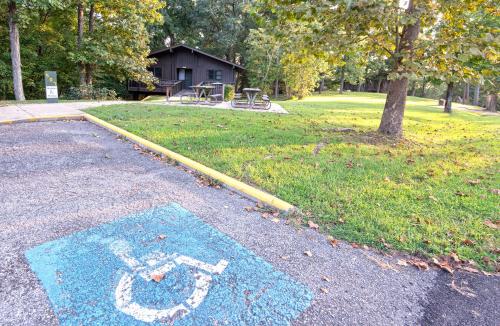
point(380, 26)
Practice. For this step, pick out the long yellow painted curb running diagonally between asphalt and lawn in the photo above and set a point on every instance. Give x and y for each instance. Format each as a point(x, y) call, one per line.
point(227, 180)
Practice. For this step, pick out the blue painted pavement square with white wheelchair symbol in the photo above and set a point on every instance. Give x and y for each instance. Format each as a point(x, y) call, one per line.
point(163, 265)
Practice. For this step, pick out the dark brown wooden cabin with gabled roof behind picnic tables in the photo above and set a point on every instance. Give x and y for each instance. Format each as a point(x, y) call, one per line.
point(183, 66)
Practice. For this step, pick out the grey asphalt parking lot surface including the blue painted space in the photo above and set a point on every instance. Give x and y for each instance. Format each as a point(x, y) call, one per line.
point(59, 178)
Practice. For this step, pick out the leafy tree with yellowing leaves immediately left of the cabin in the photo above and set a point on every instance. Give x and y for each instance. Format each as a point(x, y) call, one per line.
point(116, 41)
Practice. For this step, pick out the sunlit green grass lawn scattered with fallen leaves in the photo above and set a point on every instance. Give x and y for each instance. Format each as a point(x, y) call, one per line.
point(428, 194)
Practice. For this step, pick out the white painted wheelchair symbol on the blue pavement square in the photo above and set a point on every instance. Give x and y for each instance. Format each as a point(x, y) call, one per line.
point(160, 263)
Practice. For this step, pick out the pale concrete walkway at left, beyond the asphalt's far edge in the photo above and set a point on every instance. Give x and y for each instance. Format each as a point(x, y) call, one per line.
point(37, 110)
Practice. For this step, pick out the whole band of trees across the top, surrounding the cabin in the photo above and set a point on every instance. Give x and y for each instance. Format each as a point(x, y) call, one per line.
point(431, 48)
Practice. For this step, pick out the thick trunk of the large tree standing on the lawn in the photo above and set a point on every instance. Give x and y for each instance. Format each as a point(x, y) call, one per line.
point(392, 118)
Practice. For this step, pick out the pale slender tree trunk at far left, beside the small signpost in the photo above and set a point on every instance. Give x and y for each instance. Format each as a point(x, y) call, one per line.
point(15, 53)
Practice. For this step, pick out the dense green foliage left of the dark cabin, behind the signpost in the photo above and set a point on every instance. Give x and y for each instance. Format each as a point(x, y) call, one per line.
point(117, 49)
